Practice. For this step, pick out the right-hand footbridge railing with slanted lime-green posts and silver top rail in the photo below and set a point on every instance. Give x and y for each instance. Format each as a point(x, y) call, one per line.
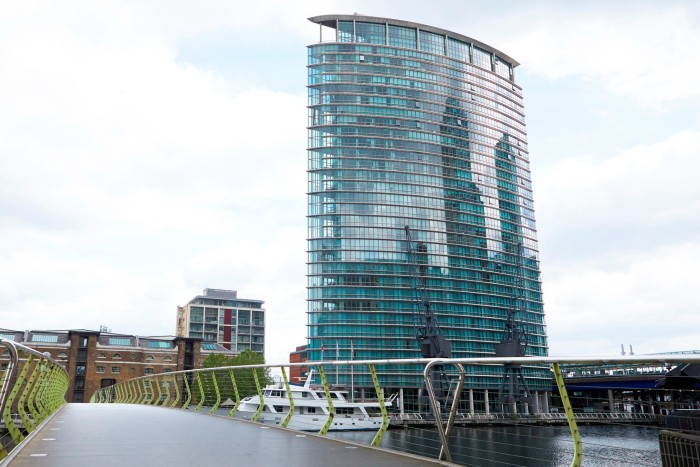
point(229, 386)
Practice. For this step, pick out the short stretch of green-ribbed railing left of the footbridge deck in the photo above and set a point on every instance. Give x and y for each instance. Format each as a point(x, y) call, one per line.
point(33, 387)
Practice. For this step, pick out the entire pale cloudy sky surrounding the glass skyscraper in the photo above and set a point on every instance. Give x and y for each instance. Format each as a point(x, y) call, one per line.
point(149, 150)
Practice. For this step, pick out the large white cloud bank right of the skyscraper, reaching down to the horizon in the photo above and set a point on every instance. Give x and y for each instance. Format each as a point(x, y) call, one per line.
point(620, 243)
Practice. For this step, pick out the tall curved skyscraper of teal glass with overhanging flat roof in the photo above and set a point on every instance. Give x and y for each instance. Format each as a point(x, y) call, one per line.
point(411, 125)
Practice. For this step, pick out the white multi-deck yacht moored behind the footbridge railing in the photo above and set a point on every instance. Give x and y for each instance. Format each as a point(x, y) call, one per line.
point(311, 408)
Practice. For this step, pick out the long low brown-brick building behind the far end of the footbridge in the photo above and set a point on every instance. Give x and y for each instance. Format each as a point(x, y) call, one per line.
point(96, 359)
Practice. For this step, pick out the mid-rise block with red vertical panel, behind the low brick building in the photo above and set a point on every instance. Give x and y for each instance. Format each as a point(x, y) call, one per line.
point(219, 316)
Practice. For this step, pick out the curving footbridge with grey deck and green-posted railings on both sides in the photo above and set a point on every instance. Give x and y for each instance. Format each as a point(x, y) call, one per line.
point(177, 418)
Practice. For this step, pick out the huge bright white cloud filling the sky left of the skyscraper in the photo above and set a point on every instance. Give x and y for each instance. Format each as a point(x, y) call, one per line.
point(124, 171)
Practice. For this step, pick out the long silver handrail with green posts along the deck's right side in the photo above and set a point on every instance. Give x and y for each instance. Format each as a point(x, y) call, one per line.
point(137, 391)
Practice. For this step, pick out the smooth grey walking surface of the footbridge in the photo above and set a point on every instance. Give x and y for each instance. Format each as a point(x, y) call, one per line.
point(124, 434)
